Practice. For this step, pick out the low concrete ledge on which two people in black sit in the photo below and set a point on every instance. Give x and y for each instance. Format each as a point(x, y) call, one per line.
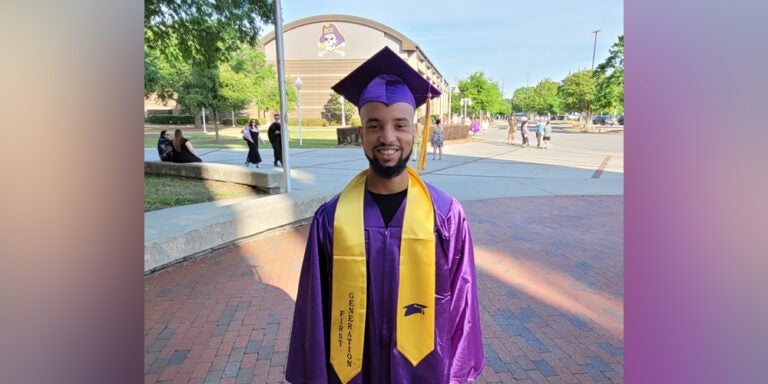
point(266, 180)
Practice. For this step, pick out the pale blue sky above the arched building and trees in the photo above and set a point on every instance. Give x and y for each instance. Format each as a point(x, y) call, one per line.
point(515, 43)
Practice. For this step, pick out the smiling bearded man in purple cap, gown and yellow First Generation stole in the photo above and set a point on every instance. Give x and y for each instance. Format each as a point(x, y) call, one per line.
point(408, 238)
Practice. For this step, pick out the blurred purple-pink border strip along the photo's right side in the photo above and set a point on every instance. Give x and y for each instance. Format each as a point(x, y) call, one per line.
point(694, 193)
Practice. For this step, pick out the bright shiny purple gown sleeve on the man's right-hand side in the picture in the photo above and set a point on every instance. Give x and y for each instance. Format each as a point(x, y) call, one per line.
point(467, 358)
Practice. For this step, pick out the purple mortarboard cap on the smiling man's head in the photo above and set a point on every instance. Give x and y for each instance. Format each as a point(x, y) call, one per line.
point(388, 79)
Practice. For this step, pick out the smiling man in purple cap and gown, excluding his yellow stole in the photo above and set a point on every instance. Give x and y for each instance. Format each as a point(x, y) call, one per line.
point(387, 92)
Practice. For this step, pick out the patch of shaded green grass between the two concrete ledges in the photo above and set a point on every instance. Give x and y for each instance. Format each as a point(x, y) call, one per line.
point(164, 192)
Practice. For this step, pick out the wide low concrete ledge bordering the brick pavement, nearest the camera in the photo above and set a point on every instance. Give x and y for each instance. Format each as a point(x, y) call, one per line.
point(177, 234)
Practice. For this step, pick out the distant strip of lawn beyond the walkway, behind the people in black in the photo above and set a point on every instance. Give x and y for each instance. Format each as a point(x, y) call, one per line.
point(231, 138)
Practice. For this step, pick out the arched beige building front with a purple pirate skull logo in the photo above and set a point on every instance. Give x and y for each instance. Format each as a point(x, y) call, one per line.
point(323, 49)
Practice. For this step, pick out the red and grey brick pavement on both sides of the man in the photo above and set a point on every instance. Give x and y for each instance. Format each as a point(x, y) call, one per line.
point(550, 279)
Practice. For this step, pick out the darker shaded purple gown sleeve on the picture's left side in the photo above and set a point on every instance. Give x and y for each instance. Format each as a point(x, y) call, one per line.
point(307, 361)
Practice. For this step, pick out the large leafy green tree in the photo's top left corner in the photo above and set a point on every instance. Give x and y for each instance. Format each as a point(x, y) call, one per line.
point(202, 34)
